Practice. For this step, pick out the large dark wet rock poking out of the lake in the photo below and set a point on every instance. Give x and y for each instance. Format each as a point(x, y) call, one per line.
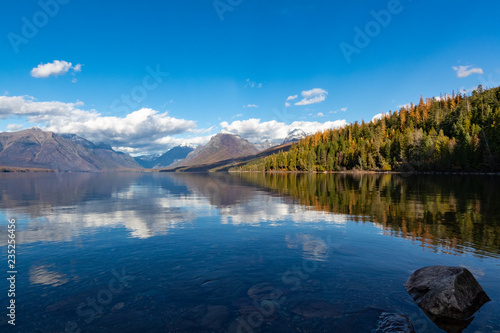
point(446, 294)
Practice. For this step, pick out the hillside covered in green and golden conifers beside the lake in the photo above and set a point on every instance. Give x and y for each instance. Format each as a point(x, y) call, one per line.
point(451, 133)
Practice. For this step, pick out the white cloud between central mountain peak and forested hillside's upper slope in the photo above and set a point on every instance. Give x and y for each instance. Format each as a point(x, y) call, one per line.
point(256, 131)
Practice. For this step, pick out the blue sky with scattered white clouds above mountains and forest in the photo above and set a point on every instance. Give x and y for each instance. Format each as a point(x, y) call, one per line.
point(232, 65)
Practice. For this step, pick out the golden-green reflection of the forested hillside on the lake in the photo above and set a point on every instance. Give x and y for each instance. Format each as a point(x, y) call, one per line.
point(454, 214)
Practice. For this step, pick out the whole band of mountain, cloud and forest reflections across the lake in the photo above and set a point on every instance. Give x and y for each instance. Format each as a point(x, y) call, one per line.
point(450, 213)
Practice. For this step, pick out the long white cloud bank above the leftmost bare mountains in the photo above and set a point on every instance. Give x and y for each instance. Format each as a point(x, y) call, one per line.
point(141, 129)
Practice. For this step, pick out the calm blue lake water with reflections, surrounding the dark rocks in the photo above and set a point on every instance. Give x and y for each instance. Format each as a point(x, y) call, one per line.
point(144, 252)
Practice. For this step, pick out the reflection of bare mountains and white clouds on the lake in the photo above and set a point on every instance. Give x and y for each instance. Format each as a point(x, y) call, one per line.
point(60, 208)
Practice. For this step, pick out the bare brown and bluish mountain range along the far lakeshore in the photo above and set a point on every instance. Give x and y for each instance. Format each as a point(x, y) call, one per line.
point(37, 149)
